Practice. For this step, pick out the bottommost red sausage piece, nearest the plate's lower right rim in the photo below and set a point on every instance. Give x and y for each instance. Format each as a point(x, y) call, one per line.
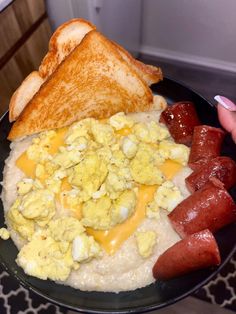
point(196, 251)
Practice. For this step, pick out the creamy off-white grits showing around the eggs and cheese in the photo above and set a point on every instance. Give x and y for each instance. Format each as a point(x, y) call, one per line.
point(126, 269)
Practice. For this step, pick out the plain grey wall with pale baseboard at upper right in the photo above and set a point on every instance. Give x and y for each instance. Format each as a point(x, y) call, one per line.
point(196, 31)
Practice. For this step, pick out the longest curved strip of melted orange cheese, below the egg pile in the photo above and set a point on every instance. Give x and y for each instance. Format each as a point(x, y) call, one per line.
point(112, 239)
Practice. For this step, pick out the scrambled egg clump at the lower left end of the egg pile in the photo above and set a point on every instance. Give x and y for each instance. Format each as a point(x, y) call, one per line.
point(53, 253)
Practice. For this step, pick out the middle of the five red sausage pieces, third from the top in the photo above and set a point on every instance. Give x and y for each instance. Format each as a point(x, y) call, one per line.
point(222, 168)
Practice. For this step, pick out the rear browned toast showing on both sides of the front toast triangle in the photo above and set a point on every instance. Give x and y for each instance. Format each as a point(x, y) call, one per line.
point(62, 42)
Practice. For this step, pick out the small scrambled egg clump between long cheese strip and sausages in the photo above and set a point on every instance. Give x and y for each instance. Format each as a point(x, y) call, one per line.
point(167, 196)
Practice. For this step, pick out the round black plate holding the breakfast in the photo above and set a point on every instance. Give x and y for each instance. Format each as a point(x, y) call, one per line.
point(146, 299)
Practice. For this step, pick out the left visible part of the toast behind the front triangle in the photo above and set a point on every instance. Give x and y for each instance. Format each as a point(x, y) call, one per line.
point(63, 41)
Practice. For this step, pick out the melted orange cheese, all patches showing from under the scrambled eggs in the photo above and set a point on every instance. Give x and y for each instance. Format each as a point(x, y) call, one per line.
point(112, 239)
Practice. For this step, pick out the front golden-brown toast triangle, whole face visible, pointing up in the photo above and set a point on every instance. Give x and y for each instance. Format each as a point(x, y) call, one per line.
point(93, 81)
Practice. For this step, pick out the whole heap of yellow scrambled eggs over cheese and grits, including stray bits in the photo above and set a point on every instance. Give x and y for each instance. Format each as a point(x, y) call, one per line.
point(97, 166)
